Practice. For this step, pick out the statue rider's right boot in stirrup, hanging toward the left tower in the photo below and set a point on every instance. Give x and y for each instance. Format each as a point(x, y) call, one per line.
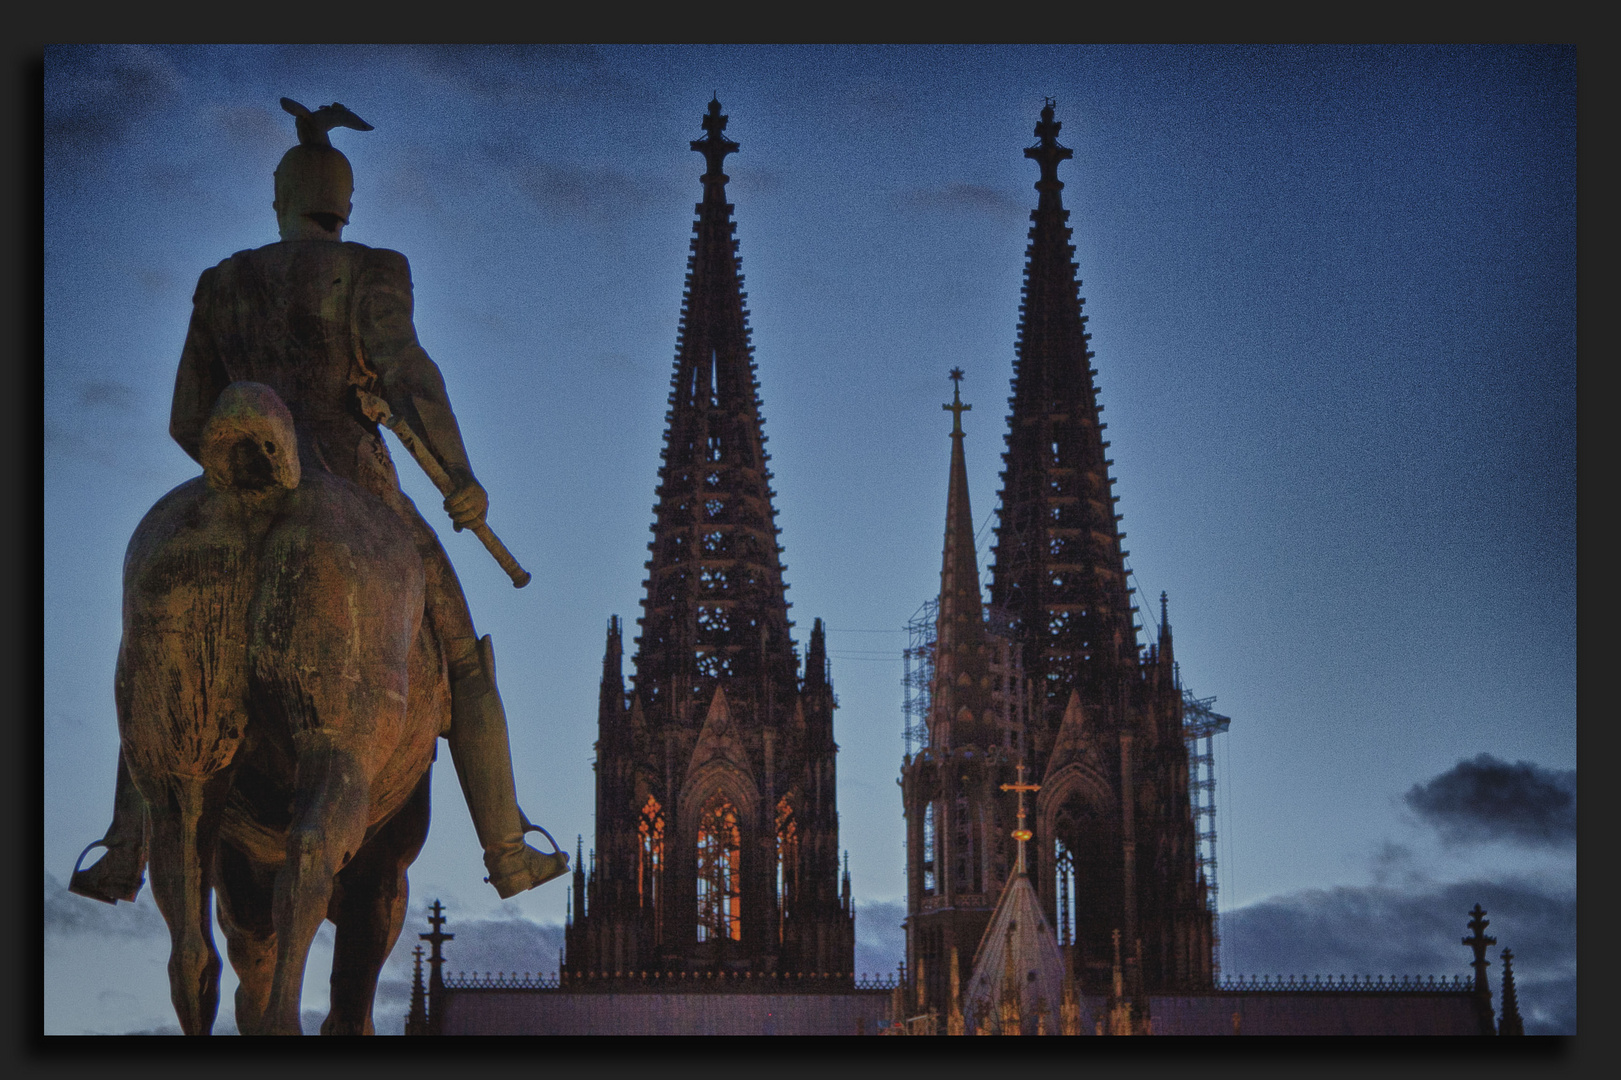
point(484, 765)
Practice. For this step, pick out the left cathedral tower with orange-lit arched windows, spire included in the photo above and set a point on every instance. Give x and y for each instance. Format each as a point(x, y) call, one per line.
point(717, 829)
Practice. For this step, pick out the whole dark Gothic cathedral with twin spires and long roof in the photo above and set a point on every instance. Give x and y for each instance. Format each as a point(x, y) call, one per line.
point(714, 893)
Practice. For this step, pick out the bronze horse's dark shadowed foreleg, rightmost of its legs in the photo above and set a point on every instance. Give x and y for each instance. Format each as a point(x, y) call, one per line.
point(369, 909)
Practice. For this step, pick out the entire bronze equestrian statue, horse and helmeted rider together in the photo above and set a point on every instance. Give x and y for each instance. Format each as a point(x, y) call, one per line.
point(296, 640)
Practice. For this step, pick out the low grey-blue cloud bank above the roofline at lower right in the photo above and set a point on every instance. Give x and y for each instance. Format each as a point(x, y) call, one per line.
point(1416, 932)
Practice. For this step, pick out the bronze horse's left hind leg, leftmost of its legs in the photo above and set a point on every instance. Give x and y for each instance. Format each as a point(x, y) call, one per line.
point(184, 831)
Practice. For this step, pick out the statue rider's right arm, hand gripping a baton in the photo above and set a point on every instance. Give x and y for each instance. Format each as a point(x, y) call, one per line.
point(411, 382)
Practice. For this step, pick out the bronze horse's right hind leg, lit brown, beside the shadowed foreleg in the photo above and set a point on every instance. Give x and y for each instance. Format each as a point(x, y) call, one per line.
point(331, 804)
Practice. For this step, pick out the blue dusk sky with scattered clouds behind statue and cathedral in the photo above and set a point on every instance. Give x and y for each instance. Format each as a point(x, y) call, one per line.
point(1333, 307)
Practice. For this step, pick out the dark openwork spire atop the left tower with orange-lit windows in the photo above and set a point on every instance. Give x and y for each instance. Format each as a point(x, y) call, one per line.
point(716, 598)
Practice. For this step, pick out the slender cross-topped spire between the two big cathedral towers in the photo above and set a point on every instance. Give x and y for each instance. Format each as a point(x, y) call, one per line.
point(960, 625)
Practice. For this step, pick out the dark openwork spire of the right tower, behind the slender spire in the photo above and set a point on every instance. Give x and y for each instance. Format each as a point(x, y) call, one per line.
point(1059, 573)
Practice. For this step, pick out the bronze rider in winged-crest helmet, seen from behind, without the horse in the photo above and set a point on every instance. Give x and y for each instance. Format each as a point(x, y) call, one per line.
point(317, 319)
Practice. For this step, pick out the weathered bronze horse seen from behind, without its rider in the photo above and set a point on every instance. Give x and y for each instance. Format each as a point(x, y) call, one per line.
point(280, 696)
